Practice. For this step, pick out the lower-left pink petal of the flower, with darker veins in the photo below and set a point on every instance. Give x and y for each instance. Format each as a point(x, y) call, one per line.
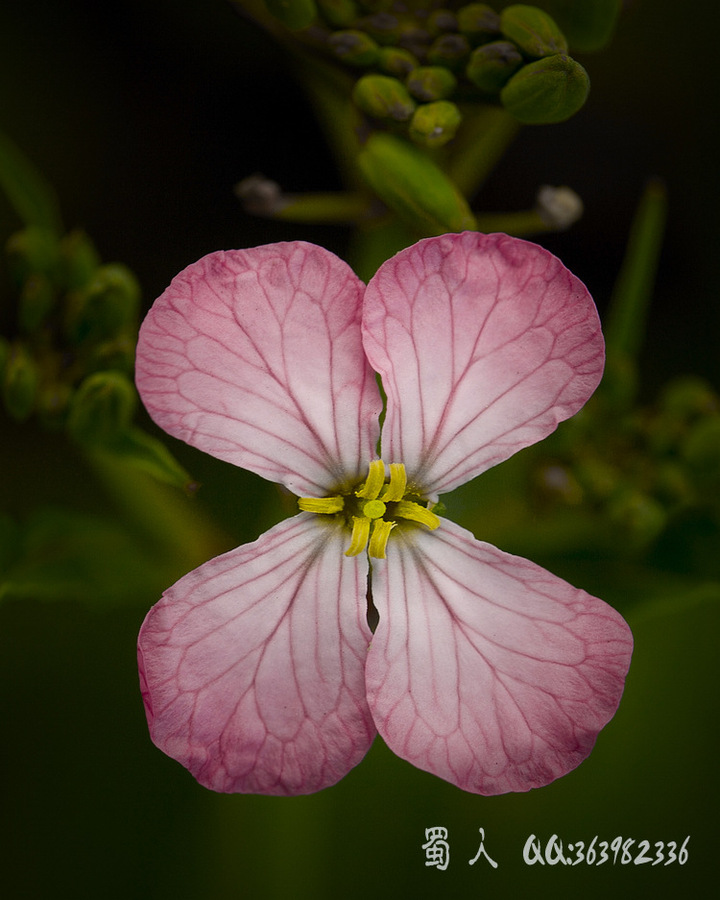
point(252, 665)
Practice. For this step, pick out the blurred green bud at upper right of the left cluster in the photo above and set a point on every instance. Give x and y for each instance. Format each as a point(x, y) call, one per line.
point(108, 304)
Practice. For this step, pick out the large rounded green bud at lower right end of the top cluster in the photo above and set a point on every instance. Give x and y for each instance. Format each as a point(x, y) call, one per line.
point(547, 91)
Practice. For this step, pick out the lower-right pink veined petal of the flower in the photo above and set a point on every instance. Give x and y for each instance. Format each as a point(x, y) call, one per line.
point(485, 669)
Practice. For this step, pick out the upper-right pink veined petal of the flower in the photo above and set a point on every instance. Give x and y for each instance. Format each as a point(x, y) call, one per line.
point(484, 343)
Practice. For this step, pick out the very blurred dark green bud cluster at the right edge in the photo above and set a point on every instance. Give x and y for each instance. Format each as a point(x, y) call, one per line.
point(644, 470)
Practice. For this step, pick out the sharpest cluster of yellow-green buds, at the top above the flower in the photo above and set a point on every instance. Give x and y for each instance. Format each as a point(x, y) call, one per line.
point(419, 61)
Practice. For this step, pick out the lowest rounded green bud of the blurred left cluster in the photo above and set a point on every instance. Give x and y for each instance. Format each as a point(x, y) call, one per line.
point(101, 408)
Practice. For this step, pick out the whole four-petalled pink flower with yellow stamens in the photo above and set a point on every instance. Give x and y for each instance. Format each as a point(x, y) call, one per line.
point(259, 670)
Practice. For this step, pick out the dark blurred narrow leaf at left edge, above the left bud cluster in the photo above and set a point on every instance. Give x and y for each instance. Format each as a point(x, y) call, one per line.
point(30, 195)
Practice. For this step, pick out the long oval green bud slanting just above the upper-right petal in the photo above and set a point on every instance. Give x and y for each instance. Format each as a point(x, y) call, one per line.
point(410, 184)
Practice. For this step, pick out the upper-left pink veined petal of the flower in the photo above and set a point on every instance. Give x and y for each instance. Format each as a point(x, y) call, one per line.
point(255, 356)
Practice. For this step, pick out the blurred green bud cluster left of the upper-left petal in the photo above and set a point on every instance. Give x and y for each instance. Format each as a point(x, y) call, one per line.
point(69, 365)
